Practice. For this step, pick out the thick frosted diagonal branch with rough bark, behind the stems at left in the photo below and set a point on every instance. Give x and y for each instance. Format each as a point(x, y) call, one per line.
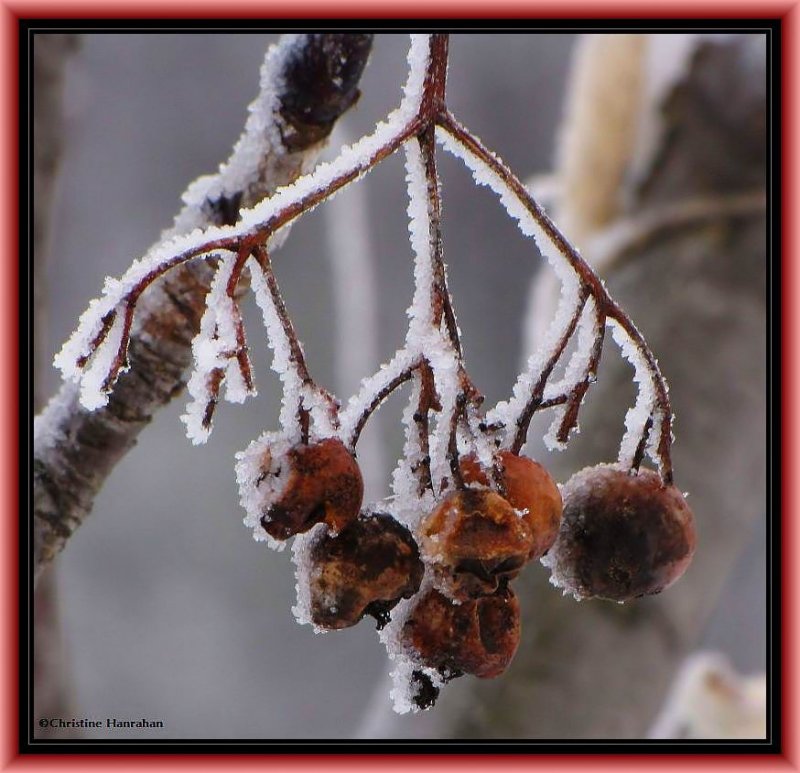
point(76, 448)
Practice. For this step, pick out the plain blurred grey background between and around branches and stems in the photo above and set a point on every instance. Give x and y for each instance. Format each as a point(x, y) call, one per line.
point(171, 611)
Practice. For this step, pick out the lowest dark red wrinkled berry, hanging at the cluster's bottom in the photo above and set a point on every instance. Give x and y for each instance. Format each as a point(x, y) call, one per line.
point(477, 637)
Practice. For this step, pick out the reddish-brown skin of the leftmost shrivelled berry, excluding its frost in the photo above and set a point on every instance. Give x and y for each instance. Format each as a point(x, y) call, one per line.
point(324, 485)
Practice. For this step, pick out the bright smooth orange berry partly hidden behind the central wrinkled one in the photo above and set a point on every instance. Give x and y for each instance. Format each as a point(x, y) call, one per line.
point(527, 486)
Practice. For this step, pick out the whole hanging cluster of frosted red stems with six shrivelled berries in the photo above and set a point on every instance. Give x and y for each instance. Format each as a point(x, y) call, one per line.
point(434, 562)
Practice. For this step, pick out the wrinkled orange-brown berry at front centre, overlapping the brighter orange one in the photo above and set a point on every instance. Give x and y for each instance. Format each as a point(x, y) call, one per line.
point(476, 541)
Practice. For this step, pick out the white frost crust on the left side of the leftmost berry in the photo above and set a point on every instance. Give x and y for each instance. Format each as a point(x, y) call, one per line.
point(262, 475)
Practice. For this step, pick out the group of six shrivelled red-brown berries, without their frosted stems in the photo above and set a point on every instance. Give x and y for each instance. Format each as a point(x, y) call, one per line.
point(623, 534)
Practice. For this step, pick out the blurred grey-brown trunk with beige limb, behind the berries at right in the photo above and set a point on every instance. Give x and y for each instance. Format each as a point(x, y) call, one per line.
point(689, 267)
